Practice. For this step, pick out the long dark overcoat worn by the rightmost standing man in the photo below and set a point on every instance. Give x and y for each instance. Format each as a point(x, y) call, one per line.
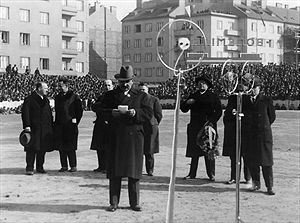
point(257, 139)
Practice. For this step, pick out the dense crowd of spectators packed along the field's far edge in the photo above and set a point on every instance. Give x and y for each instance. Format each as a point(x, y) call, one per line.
point(280, 81)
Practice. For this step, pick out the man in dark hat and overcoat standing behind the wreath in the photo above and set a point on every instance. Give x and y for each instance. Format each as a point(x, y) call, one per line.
point(205, 107)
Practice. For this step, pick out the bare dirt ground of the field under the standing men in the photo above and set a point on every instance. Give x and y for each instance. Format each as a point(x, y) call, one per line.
point(83, 196)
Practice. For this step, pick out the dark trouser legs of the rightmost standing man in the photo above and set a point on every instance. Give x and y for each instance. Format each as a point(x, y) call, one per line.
point(267, 174)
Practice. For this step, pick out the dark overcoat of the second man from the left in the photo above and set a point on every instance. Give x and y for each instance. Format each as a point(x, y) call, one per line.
point(67, 107)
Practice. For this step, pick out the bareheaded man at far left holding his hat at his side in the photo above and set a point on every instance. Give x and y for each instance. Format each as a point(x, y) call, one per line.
point(37, 118)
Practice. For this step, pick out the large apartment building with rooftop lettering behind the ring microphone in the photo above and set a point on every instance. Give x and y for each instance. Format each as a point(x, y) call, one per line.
point(231, 29)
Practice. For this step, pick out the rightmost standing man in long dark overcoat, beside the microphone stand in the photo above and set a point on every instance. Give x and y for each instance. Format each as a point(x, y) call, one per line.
point(257, 139)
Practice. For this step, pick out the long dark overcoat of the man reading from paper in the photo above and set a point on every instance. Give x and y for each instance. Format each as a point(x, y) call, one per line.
point(125, 156)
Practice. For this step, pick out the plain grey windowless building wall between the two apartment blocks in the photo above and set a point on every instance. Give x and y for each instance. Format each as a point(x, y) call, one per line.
point(105, 41)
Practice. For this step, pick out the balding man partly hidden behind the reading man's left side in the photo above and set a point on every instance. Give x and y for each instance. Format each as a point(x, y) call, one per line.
point(100, 139)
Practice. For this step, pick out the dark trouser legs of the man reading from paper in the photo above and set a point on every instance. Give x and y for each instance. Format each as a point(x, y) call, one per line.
point(115, 190)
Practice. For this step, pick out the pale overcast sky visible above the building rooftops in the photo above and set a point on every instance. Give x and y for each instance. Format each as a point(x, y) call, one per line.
point(126, 6)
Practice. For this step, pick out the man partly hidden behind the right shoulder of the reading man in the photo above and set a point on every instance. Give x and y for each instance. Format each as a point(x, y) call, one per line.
point(151, 142)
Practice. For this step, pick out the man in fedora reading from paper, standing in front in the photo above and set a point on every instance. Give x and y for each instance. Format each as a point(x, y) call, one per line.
point(125, 155)
